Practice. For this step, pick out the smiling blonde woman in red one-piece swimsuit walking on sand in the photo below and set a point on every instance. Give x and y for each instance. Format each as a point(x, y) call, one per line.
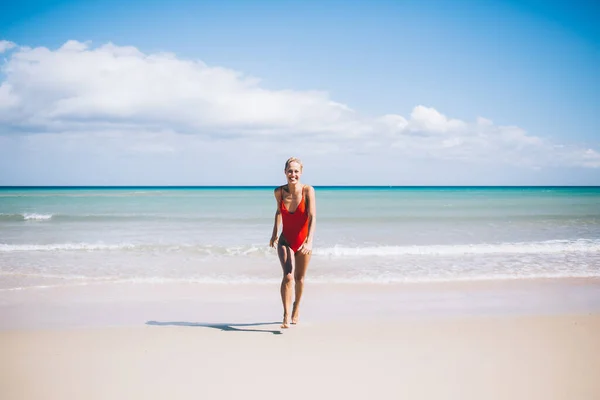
point(296, 209)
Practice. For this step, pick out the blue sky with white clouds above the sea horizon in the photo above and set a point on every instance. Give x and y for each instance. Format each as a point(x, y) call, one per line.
point(380, 92)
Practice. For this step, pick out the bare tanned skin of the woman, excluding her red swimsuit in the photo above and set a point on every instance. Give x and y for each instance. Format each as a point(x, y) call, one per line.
point(294, 265)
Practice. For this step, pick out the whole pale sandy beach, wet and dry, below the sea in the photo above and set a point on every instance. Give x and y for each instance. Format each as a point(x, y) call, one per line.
point(472, 341)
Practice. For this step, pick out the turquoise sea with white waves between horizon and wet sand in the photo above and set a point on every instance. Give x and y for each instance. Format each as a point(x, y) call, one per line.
point(88, 235)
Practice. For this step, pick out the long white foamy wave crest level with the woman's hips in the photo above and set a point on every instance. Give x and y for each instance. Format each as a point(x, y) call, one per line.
point(544, 247)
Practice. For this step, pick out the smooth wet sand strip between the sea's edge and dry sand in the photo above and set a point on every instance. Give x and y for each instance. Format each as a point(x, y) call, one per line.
point(133, 304)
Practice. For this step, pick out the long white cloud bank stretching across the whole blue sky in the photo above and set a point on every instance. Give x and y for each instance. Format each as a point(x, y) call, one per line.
point(154, 103)
